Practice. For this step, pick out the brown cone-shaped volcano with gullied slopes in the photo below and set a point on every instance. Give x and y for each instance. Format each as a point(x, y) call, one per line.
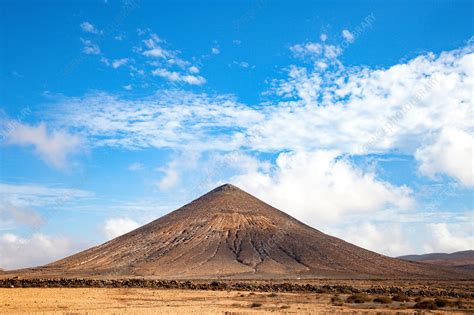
point(228, 233)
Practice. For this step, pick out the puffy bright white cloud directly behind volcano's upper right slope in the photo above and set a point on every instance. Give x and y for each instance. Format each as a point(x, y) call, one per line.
point(322, 186)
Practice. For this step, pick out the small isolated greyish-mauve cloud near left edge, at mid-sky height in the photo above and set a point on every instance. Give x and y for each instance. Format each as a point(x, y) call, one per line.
point(53, 147)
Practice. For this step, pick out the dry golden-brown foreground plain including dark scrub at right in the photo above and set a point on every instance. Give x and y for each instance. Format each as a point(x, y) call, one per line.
point(373, 297)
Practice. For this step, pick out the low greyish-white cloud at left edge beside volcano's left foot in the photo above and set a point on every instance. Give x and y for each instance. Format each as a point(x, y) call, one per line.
point(19, 252)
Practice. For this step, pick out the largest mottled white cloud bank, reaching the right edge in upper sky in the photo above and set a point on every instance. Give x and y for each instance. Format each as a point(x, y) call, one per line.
point(360, 111)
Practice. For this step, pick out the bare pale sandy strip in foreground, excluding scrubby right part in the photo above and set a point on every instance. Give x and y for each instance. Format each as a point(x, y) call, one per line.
point(149, 301)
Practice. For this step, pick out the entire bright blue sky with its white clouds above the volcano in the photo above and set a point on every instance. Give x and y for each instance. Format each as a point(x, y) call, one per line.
point(355, 118)
